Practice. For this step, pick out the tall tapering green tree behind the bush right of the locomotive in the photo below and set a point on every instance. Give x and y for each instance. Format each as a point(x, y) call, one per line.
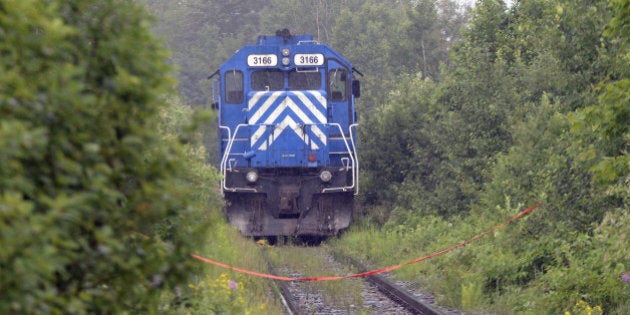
point(474, 96)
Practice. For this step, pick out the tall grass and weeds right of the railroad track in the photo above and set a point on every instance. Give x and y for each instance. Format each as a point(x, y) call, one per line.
point(503, 272)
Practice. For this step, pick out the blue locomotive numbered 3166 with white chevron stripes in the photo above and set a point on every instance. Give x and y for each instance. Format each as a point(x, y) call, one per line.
point(287, 132)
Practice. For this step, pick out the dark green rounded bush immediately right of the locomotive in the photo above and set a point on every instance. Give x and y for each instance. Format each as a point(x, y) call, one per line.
point(387, 149)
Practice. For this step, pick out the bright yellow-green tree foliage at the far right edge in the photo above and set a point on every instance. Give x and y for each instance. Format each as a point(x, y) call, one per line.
point(603, 128)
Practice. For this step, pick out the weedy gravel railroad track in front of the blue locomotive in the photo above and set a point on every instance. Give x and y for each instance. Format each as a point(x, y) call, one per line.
point(378, 295)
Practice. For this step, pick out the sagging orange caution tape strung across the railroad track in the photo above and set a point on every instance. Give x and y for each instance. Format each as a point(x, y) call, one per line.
point(378, 271)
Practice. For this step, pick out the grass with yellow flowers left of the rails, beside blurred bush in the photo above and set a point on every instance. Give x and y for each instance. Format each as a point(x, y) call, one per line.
point(217, 290)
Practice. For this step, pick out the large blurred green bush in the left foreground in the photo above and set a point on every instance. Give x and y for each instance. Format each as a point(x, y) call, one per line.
point(83, 171)
